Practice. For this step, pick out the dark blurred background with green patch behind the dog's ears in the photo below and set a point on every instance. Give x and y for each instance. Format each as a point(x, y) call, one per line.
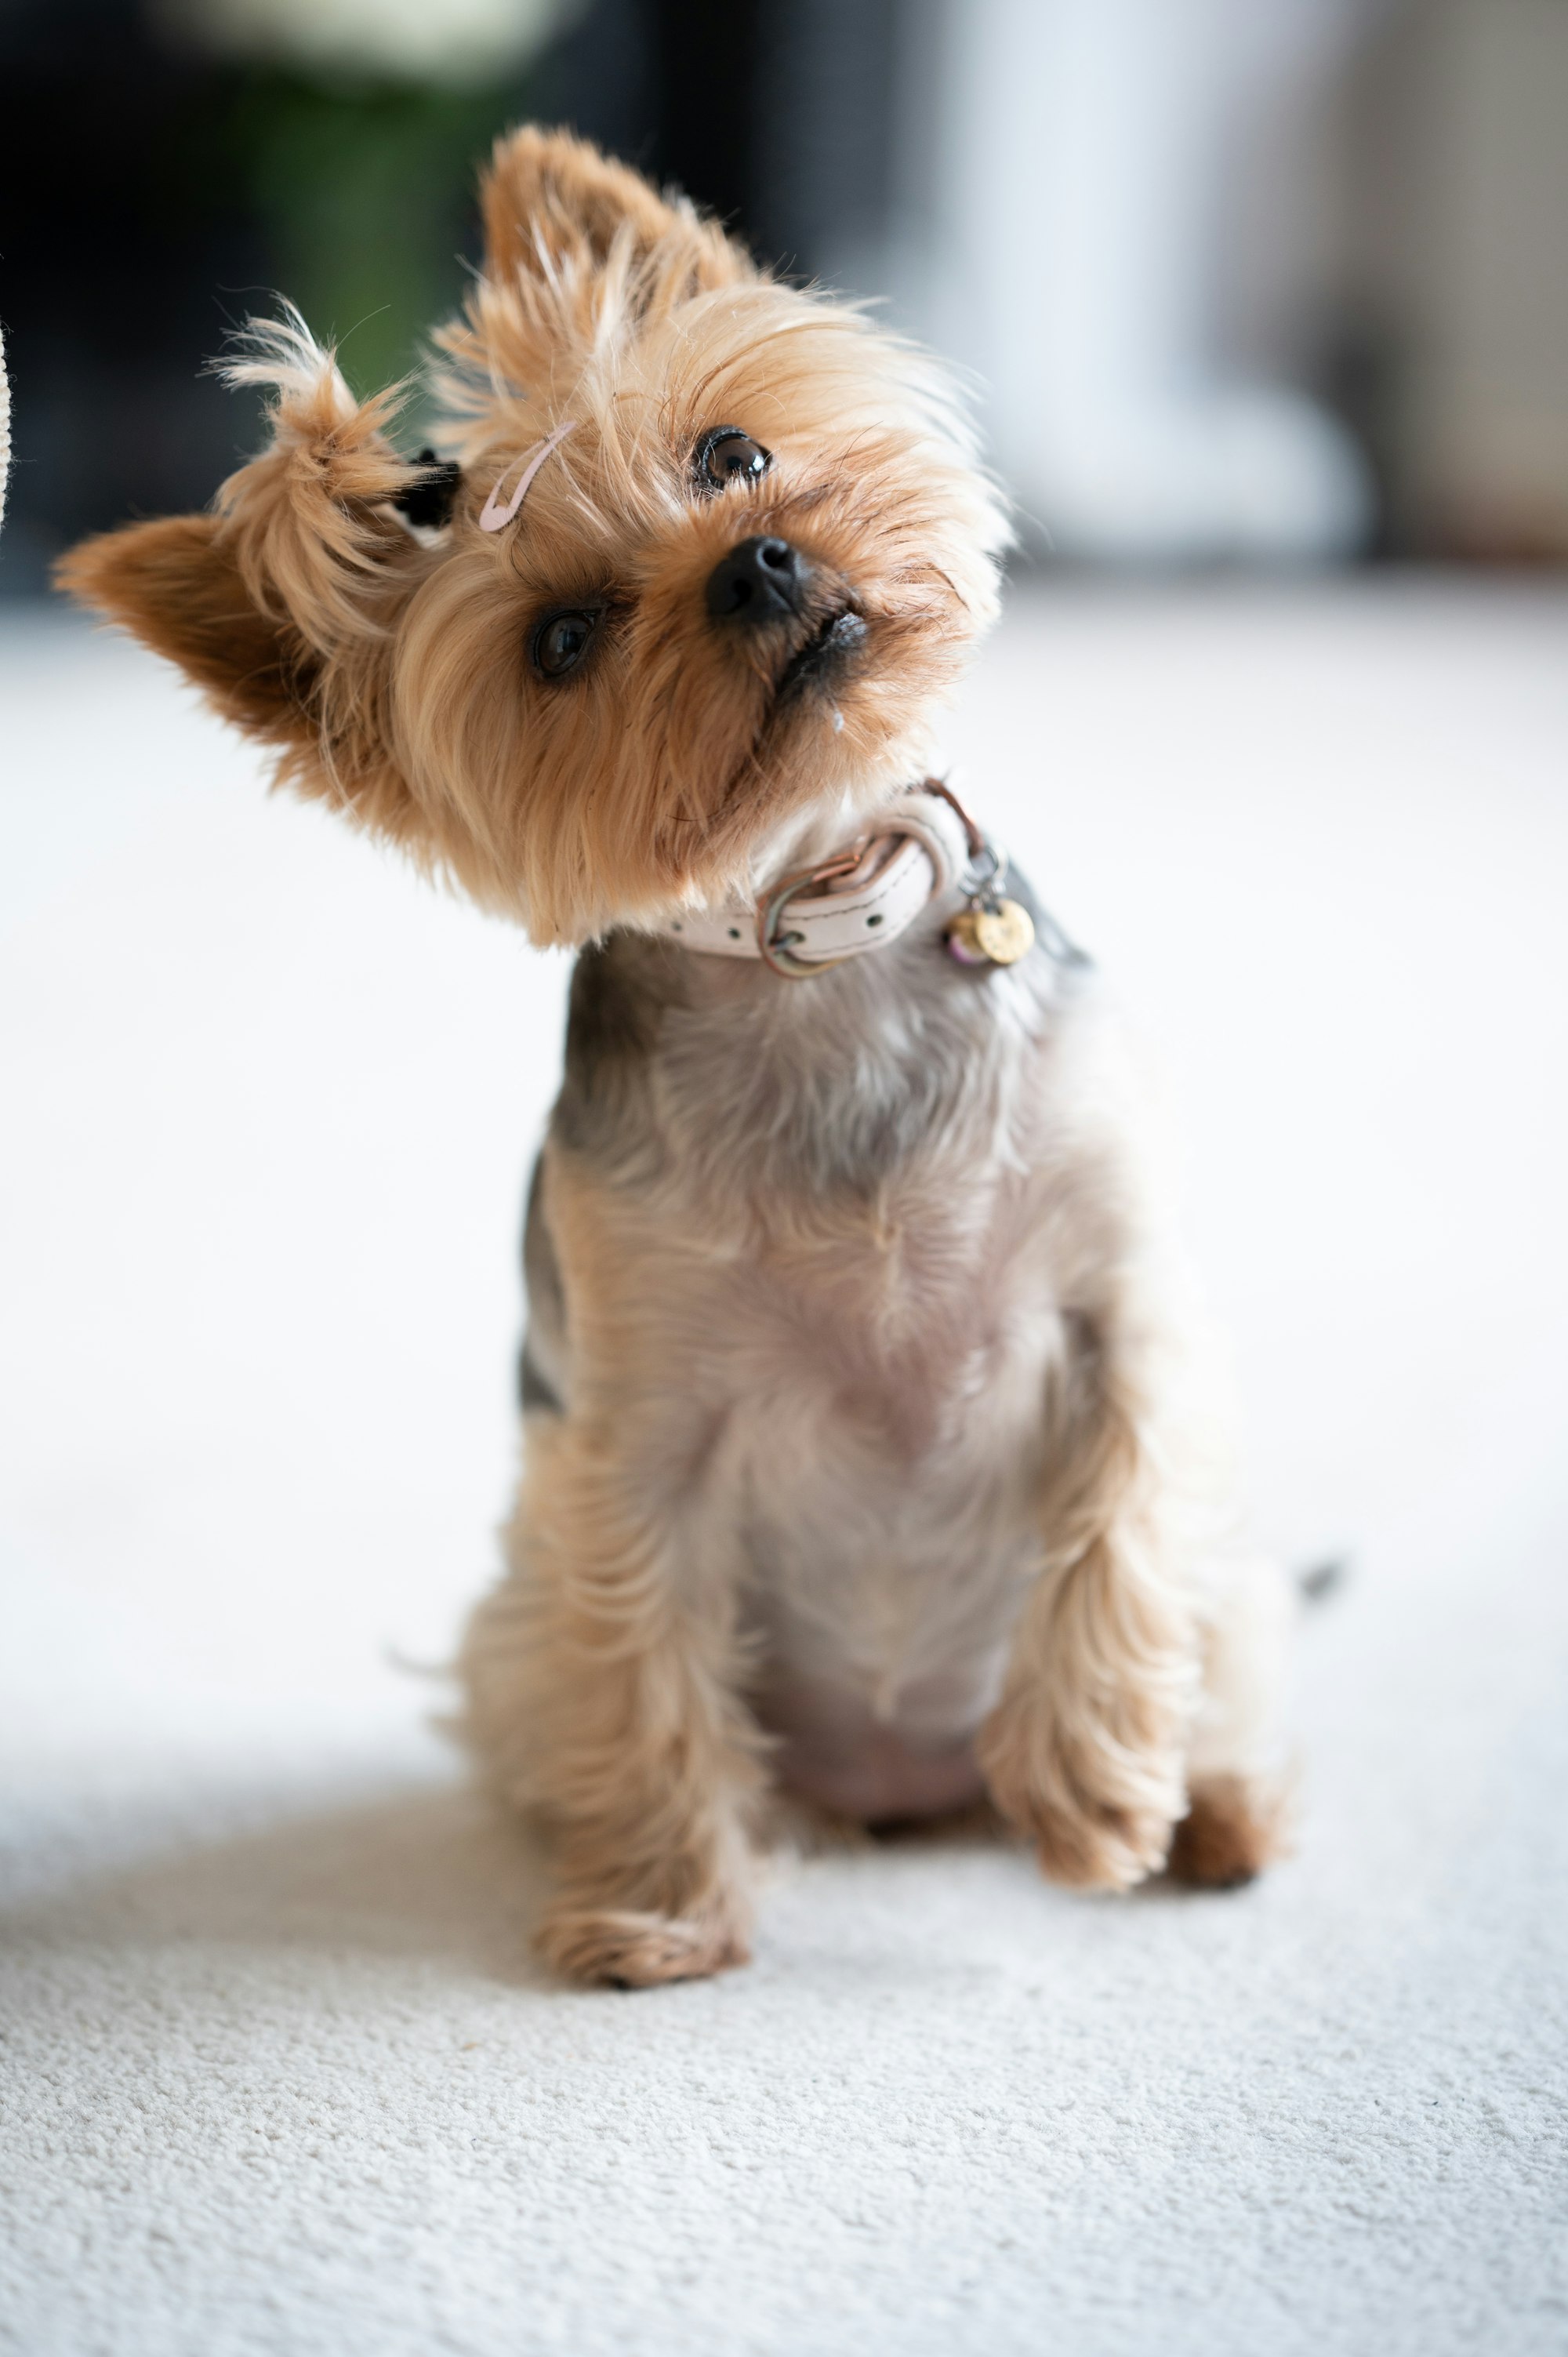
point(154, 194)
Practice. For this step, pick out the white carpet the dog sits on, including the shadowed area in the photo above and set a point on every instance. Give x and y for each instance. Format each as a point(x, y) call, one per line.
point(277, 2075)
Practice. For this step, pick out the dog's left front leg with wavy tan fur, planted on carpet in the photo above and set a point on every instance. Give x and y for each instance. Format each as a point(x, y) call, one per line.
point(610, 1712)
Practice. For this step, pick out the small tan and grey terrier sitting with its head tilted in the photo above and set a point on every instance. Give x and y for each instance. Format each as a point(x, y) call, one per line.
point(852, 1441)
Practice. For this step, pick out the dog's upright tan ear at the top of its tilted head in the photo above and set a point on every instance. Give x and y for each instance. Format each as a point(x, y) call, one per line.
point(553, 204)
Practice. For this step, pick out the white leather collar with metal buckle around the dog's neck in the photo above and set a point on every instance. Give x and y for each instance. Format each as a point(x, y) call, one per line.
point(885, 880)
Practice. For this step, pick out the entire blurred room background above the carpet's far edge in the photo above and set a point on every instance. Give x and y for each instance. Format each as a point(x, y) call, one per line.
point(1244, 282)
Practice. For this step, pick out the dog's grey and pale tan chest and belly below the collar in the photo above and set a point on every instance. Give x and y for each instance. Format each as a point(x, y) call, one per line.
point(852, 1253)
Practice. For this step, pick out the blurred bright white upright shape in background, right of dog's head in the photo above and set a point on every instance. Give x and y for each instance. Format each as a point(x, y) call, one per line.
point(1074, 180)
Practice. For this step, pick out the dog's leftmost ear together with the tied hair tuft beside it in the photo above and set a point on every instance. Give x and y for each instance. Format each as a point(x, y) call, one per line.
point(279, 602)
